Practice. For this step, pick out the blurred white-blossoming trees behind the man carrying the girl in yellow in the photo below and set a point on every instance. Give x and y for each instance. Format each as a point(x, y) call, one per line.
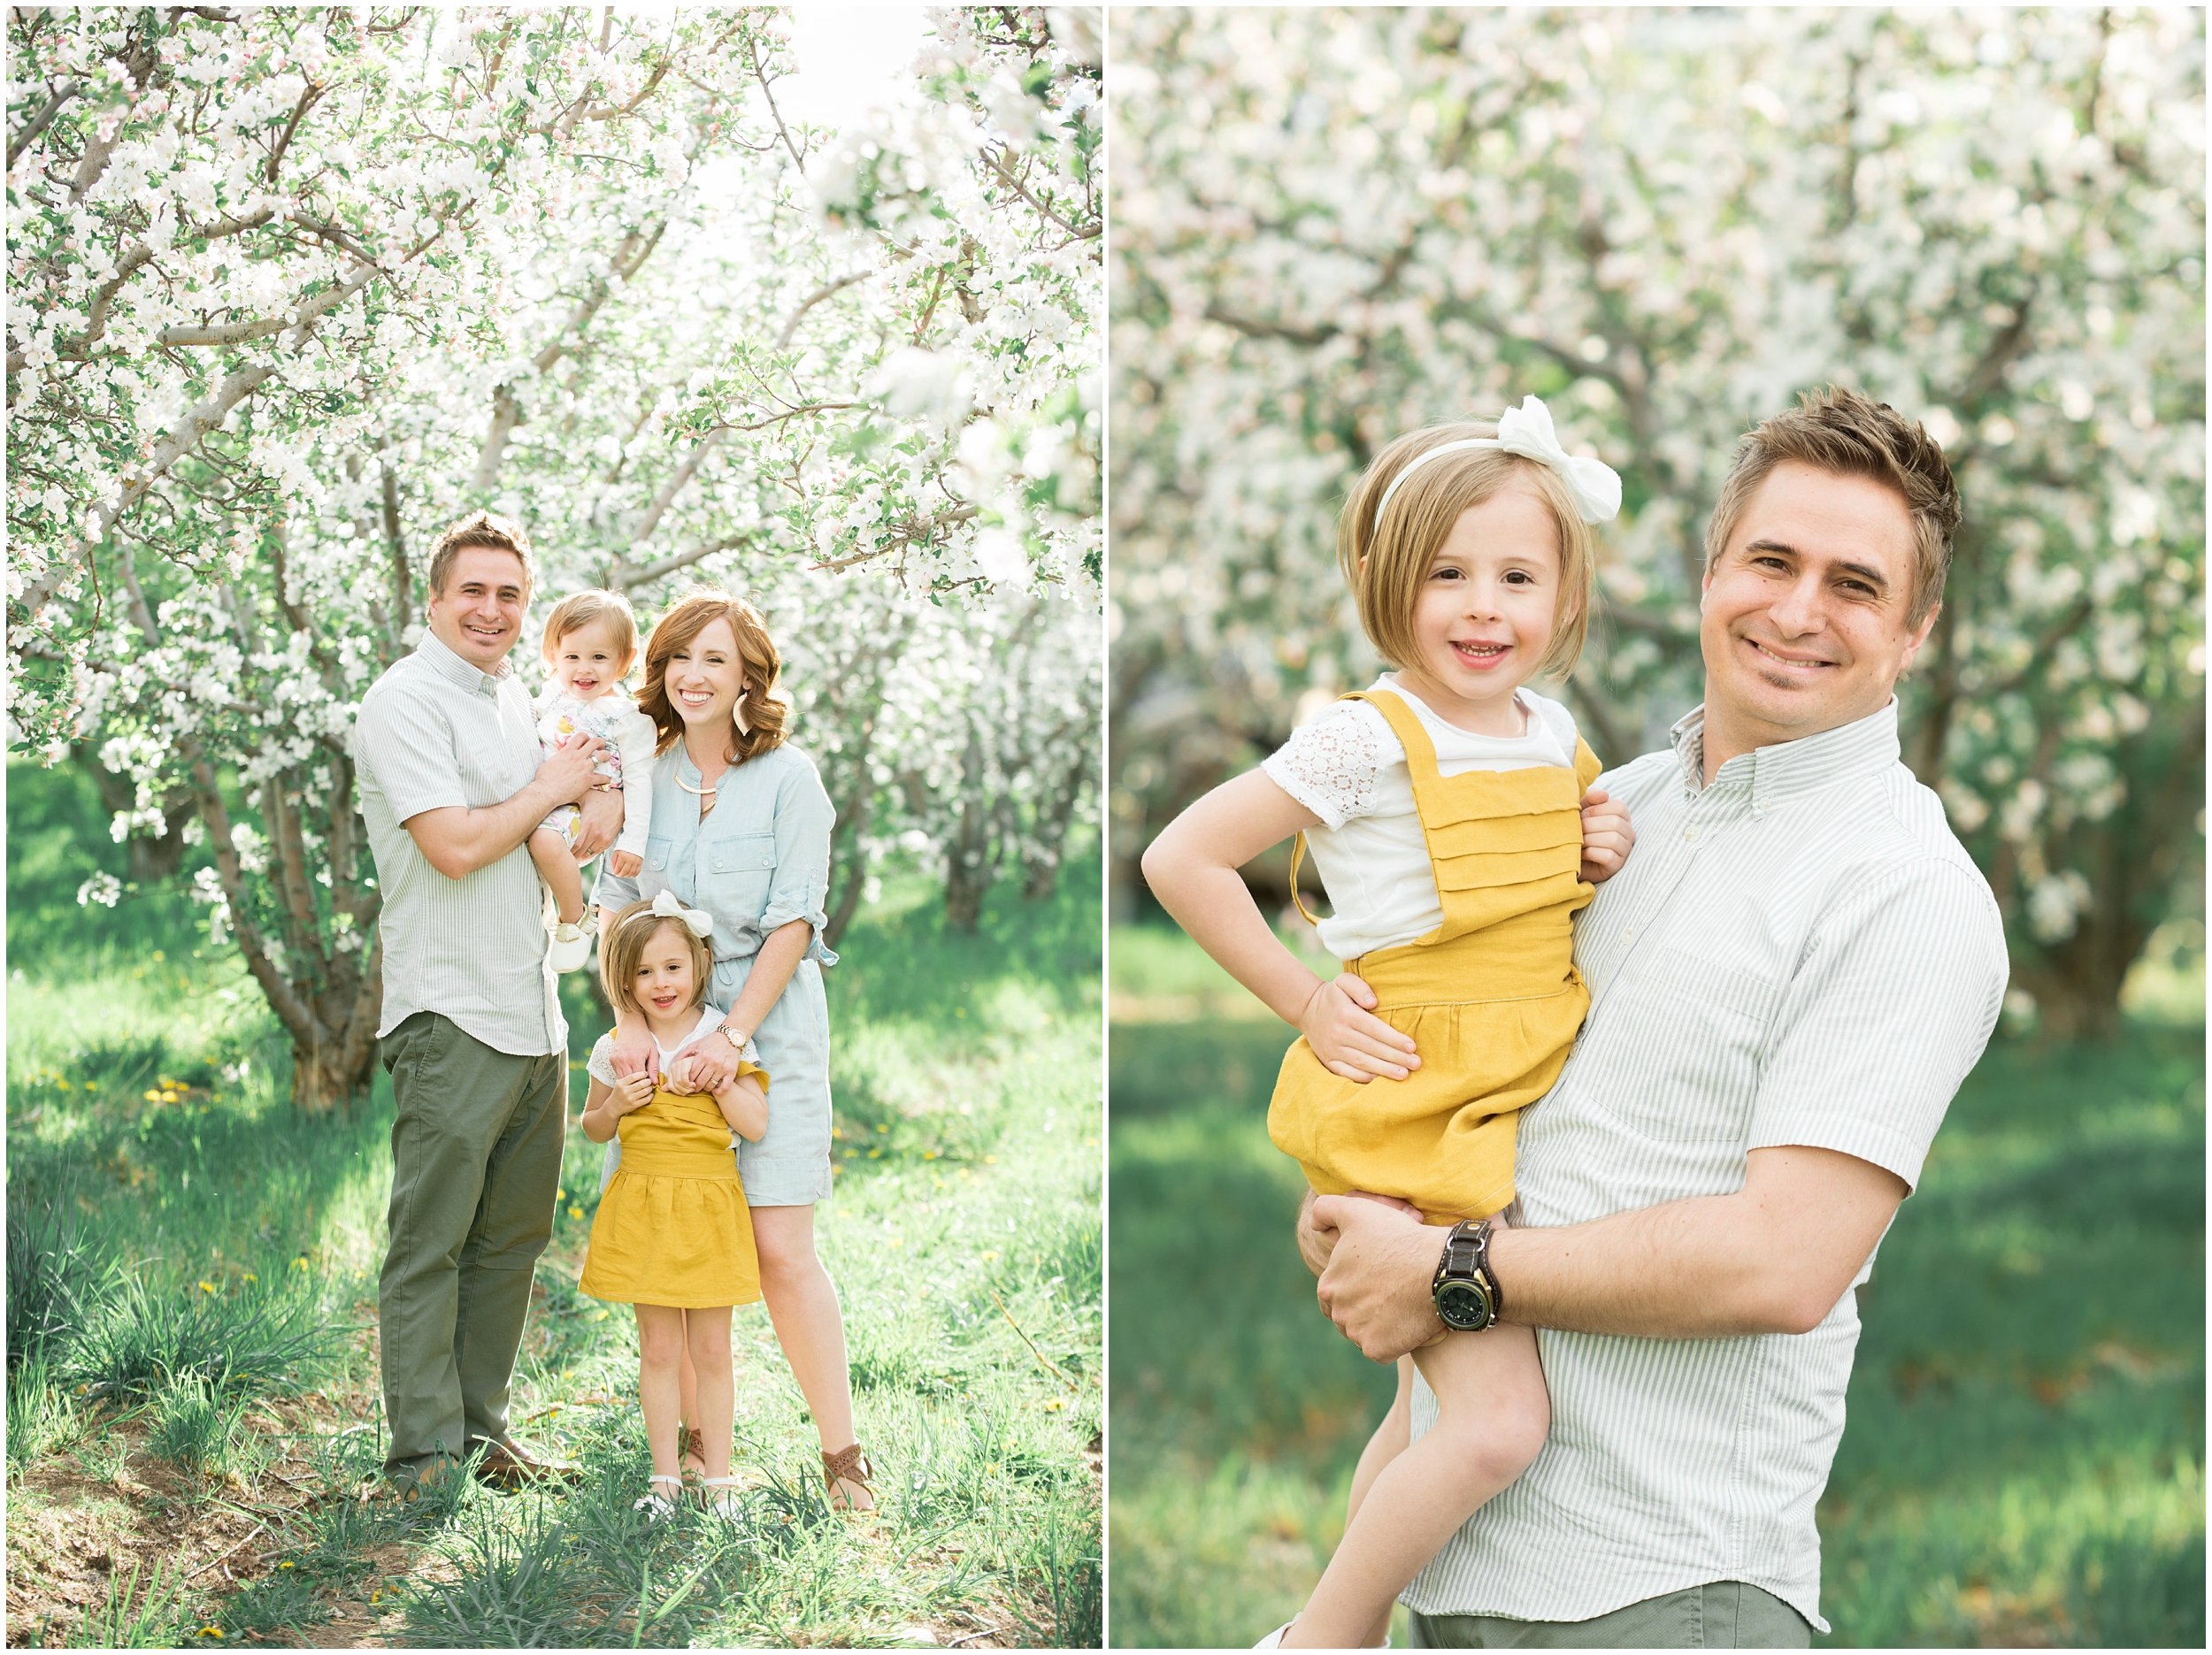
point(1335, 227)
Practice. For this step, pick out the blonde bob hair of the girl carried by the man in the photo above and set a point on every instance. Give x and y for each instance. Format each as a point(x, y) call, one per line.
point(1388, 561)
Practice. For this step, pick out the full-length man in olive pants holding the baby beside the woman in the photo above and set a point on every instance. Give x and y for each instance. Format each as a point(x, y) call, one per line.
point(472, 1032)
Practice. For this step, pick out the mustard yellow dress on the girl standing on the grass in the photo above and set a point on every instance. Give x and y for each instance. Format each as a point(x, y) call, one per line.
point(674, 1227)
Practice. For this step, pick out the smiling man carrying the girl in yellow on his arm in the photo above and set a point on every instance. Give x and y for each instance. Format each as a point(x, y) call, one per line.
point(1788, 981)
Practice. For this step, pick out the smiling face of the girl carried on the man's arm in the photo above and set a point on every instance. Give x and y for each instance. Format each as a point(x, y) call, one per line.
point(1485, 612)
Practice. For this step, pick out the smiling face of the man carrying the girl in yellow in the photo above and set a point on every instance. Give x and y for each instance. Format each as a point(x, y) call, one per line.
point(1806, 610)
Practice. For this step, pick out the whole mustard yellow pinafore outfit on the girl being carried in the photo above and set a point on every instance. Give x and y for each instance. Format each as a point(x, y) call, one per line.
point(1492, 997)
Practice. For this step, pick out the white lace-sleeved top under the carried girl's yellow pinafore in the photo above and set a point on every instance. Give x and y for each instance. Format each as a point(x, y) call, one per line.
point(1348, 769)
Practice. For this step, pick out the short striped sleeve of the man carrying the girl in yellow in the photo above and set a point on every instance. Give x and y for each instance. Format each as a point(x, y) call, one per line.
point(1888, 1010)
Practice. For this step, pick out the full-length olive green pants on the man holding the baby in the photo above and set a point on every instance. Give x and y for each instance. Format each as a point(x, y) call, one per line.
point(474, 1167)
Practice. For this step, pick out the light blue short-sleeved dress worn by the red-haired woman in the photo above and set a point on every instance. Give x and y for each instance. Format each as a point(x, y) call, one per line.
point(758, 862)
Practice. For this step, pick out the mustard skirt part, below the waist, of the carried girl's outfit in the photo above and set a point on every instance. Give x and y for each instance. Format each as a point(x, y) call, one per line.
point(1443, 1136)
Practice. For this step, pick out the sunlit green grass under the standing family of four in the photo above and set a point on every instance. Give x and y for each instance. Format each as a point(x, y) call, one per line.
point(185, 1216)
